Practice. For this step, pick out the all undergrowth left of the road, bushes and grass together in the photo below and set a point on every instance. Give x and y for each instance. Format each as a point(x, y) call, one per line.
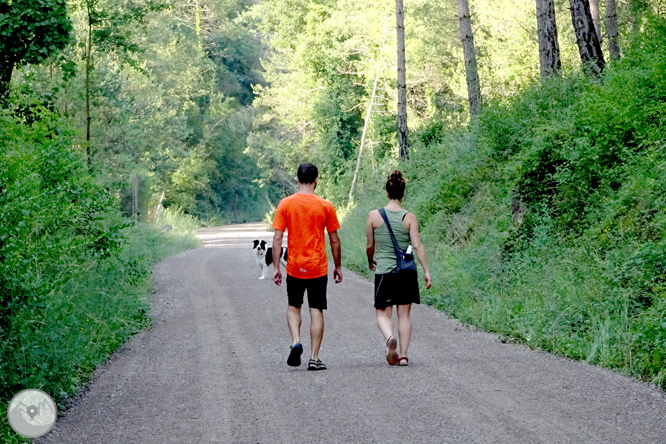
point(74, 273)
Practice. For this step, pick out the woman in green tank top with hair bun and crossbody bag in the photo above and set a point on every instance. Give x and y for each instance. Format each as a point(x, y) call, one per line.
point(399, 289)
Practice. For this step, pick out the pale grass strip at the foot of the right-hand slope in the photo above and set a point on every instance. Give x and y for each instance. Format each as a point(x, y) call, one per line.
point(554, 296)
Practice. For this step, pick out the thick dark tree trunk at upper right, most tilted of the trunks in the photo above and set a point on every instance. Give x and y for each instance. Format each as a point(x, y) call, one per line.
point(588, 43)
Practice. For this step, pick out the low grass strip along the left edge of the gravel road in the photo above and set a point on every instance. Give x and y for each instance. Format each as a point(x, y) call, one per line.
point(81, 323)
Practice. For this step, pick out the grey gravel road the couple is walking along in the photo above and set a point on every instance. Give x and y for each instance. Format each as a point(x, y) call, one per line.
point(212, 369)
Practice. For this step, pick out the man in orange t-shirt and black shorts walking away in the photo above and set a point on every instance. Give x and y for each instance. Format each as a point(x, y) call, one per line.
point(305, 216)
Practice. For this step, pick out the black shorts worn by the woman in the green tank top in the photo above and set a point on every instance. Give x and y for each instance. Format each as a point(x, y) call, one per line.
point(396, 289)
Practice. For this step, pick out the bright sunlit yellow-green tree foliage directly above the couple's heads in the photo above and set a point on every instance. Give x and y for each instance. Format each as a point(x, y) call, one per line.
point(320, 72)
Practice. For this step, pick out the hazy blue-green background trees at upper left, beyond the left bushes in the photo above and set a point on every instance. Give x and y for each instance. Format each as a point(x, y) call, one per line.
point(170, 91)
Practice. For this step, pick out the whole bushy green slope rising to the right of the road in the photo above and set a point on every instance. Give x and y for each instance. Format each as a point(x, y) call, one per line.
point(545, 221)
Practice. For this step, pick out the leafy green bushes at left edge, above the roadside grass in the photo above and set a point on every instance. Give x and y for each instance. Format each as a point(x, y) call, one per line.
point(50, 209)
